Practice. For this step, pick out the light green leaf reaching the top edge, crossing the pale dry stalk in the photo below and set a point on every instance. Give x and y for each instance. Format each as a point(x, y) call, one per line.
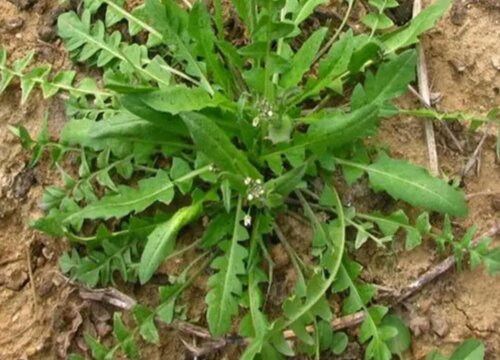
point(421, 23)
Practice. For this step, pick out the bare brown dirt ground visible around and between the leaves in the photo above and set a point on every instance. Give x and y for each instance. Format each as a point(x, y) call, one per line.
point(43, 321)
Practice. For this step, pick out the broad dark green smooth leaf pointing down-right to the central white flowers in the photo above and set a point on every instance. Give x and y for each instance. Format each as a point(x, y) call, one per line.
point(214, 143)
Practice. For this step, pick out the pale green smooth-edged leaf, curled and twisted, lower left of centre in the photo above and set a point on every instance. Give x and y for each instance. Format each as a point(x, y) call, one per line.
point(161, 242)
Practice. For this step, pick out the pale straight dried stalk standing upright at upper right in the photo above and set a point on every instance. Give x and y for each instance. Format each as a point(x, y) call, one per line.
point(423, 87)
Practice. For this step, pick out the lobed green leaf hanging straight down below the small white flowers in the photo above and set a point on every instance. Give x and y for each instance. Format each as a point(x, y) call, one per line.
point(225, 285)
